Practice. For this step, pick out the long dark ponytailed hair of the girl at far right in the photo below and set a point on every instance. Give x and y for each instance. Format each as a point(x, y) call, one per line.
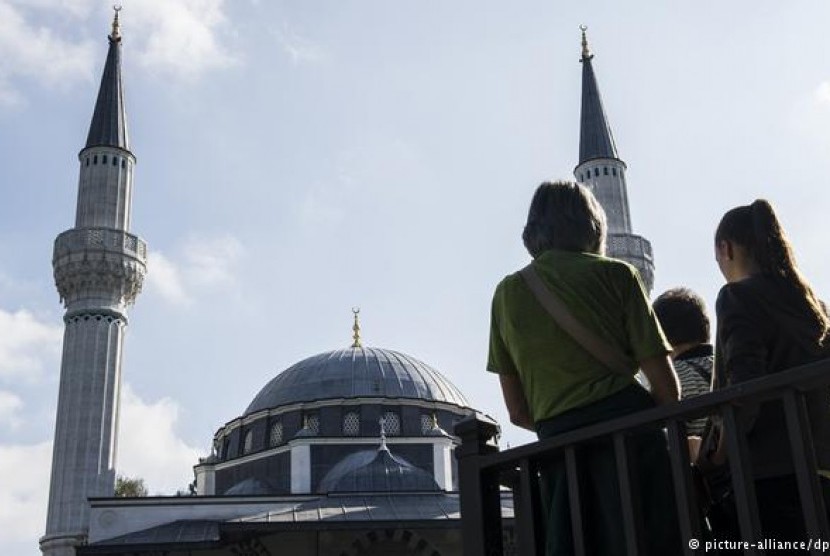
point(756, 228)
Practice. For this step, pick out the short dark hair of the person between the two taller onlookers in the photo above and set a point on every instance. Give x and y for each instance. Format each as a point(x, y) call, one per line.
point(682, 314)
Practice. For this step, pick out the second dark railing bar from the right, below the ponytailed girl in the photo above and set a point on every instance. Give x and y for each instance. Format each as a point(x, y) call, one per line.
point(742, 482)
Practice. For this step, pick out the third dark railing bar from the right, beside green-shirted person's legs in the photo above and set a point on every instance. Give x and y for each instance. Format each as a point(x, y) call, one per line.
point(687, 511)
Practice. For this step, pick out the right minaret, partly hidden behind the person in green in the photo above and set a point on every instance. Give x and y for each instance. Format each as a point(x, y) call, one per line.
point(601, 169)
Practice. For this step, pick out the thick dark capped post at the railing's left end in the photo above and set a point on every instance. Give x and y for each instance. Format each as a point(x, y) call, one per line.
point(481, 525)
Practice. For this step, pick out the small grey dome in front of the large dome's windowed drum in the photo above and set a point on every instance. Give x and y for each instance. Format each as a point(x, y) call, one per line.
point(376, 471)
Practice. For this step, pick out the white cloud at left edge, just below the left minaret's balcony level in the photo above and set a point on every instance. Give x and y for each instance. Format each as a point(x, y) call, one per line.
point(26, 345)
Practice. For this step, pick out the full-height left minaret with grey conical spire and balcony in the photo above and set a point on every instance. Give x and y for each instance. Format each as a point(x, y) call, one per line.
point(99, 268)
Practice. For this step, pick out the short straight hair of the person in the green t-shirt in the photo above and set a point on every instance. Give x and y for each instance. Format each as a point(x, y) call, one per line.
point(564, 215)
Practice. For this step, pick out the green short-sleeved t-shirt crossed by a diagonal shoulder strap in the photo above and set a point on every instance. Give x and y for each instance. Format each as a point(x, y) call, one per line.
point(558, 374)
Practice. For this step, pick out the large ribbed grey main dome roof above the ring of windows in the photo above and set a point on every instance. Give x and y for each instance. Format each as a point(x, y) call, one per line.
point(356, 373)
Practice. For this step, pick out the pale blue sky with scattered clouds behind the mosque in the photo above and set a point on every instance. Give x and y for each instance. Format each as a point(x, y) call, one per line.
point(297, 159)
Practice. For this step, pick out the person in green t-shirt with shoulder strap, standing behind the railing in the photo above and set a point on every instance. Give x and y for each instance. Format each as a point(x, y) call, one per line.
point(551, 384)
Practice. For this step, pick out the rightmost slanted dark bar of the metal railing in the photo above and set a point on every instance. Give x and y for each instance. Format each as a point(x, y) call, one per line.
point(804, 461)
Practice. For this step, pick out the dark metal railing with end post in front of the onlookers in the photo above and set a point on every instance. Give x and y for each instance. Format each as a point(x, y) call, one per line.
point(483, 469)
